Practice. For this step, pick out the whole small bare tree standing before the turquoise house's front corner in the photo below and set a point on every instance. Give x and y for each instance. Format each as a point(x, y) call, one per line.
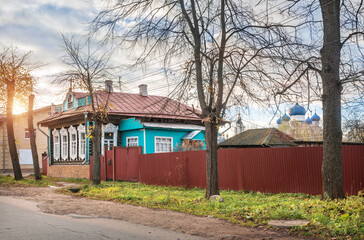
point(89, 63)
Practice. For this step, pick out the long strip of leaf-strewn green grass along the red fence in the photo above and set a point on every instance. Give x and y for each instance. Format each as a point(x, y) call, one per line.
point(342, 219)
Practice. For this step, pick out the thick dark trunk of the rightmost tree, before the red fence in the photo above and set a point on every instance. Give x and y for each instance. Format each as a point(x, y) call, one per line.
point(332, 180)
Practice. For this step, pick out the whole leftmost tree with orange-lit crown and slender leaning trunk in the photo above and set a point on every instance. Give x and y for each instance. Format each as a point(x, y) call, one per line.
point(15, 83)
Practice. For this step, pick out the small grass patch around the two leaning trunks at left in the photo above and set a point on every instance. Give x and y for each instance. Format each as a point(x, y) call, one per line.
point(8, 181)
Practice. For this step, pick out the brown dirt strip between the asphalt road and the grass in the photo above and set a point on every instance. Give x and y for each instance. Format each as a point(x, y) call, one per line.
point(54, 203)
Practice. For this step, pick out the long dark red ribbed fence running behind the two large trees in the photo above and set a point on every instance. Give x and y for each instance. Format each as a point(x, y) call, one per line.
point(274, 170)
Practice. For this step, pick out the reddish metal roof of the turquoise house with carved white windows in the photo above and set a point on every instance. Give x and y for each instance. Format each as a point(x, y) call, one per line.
point(132, 105)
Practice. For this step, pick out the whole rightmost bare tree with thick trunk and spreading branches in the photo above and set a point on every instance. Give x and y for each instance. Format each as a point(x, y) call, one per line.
point(329, 66)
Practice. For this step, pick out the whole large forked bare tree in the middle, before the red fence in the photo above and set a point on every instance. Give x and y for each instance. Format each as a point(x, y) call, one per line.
point(222, 44)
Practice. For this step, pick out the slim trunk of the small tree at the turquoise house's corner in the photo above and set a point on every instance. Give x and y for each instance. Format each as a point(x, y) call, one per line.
point(96, 148)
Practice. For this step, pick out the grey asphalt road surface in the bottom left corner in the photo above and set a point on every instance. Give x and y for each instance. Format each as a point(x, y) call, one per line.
point(21, 219)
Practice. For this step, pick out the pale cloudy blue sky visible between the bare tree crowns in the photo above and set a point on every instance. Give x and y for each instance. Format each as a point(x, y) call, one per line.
point(36, 25)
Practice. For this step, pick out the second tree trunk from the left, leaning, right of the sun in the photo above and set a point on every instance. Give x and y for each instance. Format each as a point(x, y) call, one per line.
point(33, 144)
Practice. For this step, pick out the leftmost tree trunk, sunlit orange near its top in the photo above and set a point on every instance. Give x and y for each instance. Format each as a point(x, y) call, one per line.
point(10, 128)
